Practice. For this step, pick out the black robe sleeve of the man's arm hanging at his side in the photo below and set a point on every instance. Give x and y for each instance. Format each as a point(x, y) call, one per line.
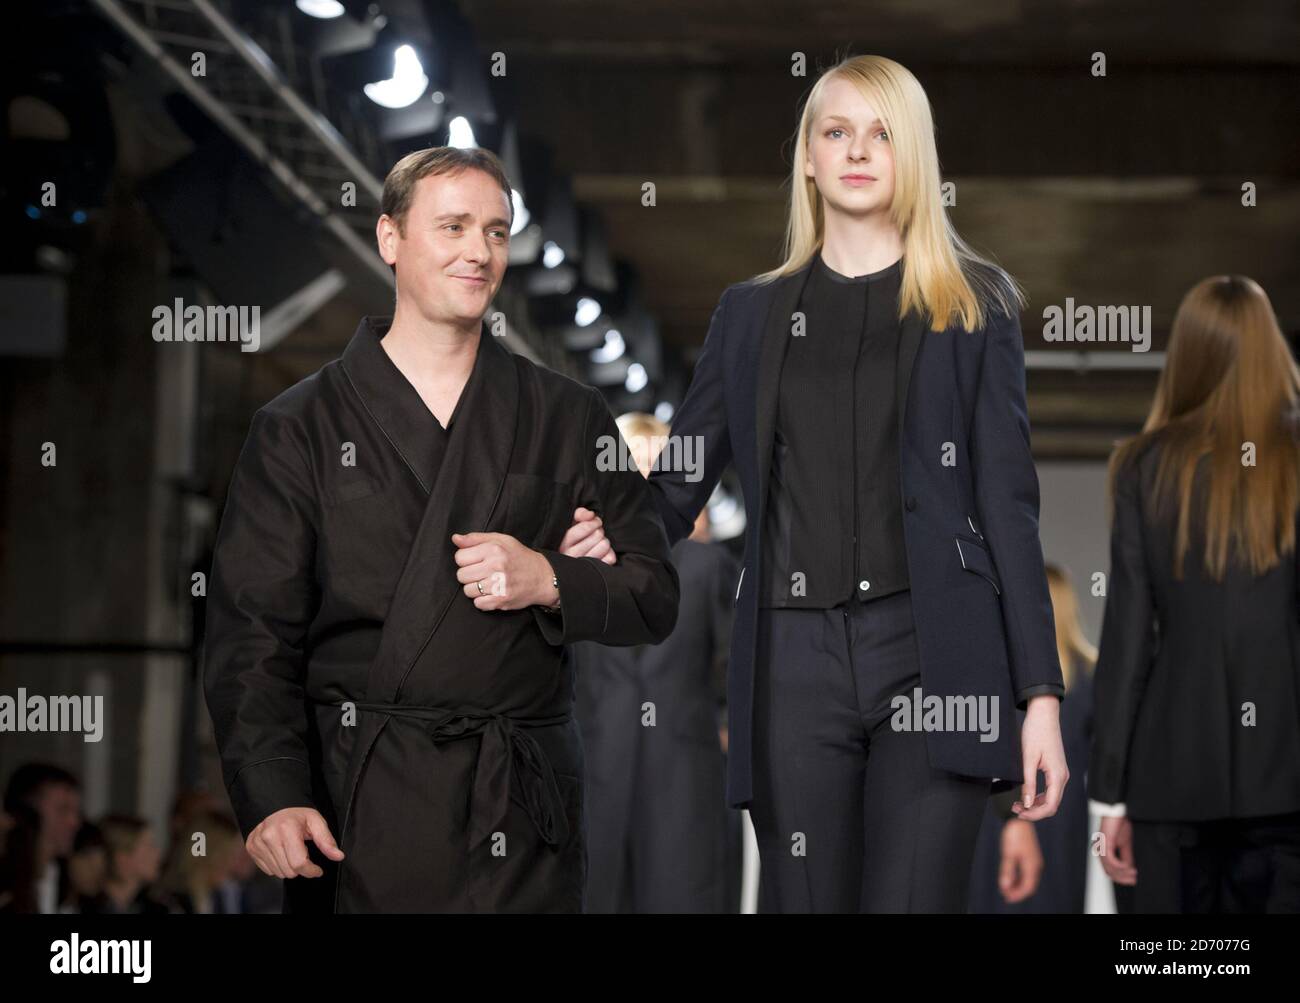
point(262, 600)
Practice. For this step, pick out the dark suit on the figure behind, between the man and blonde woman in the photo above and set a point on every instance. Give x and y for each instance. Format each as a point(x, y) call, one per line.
point(656, 796)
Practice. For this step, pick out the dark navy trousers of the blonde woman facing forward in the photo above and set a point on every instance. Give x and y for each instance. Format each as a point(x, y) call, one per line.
point(850, 814)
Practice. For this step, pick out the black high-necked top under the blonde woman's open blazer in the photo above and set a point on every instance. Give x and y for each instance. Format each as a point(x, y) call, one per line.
point(834, 524)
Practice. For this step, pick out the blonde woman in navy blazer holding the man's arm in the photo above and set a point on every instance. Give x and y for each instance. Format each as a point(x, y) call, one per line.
point(872, 394)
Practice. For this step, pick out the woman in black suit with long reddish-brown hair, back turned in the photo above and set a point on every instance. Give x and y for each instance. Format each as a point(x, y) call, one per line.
point(1197, 758)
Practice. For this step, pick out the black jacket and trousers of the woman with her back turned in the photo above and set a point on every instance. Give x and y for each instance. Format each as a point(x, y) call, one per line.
point(1214, 797)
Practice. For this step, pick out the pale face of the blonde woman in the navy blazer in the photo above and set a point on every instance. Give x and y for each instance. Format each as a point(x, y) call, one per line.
point(850, 155)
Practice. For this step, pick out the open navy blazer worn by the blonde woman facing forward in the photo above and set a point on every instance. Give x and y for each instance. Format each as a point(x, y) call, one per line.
point(980, 592)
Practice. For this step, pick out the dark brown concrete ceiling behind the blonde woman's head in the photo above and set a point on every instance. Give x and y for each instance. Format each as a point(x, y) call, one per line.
point(1123, 190)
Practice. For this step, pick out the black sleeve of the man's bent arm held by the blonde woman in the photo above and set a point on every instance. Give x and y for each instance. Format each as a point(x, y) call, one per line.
point(634, 602)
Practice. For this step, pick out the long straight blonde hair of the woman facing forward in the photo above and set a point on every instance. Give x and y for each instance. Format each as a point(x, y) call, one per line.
point(943, 279)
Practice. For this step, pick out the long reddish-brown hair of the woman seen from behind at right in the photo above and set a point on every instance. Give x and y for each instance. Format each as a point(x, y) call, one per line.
point(1229, 381)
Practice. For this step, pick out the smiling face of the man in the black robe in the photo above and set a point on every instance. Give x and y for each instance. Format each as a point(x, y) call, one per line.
point(452, 253)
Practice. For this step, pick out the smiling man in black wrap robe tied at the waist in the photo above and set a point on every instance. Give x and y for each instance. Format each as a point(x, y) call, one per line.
point(389, 601)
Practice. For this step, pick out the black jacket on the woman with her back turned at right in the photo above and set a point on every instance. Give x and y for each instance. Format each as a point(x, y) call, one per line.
point(1197, 685)
